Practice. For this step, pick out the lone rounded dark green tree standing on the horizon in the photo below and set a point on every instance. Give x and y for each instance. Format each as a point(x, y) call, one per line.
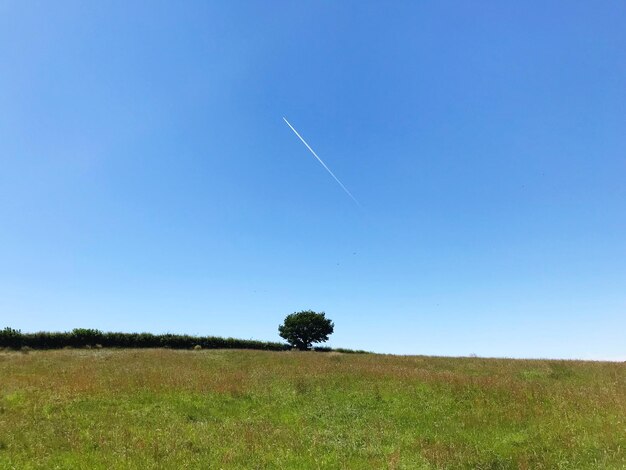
point(301, 329)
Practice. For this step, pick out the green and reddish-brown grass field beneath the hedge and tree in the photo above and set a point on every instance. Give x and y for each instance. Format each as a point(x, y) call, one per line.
point(254, 409)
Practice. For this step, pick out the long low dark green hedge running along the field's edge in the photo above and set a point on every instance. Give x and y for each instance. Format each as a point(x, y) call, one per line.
point(89, 338)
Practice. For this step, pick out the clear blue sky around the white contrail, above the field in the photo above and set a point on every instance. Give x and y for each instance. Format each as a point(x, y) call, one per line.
point(149, 183)
